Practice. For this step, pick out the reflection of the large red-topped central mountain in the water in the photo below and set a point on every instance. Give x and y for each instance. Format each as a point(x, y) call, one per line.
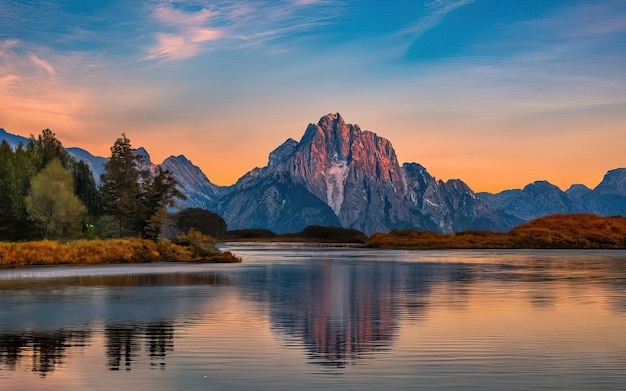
point(346, 311)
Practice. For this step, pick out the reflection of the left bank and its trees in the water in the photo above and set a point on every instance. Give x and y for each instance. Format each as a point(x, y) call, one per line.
point(41, 320)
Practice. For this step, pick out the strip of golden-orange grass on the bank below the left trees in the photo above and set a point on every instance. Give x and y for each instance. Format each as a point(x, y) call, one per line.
point(84, 252)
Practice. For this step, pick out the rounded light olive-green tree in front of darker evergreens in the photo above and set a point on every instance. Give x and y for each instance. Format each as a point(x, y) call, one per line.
point(52, 203)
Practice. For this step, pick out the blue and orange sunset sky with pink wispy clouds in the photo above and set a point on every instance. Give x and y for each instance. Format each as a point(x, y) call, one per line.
point(496, 93)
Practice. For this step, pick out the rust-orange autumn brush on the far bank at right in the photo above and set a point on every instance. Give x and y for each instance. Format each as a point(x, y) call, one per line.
point(566, 231)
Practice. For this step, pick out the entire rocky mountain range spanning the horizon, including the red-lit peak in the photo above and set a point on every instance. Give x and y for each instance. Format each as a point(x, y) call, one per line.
point(340, 175)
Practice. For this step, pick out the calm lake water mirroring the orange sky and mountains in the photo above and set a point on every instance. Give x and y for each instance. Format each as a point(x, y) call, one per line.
point(294, 317)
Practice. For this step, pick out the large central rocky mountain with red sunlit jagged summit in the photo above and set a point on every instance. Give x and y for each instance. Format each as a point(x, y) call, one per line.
point(348, 177)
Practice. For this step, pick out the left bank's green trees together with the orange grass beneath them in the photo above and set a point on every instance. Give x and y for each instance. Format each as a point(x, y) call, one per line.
point(53, 212)
